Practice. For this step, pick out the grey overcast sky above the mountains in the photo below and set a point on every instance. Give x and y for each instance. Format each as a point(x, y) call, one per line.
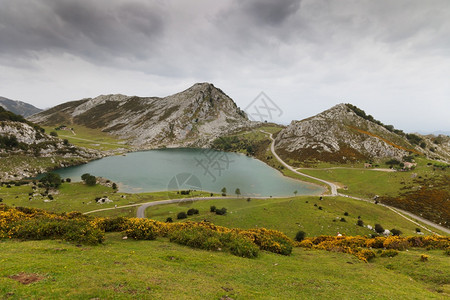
point(390, 58)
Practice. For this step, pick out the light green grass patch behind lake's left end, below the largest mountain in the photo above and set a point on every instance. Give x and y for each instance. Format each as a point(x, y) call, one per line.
point(90, 138)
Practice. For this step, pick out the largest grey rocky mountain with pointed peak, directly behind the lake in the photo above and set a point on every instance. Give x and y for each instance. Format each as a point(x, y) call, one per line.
point(193, 117)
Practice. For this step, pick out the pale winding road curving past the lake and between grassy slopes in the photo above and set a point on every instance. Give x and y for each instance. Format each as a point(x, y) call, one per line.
point(333, 188)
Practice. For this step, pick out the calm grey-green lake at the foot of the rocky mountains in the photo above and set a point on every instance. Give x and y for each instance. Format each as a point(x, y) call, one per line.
point(196, 169)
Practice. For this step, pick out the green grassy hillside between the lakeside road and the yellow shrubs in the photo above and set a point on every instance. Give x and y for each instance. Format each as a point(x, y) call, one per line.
point(291, 215)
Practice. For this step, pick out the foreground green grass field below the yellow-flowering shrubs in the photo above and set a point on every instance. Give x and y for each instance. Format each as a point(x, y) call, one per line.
point(127, 269)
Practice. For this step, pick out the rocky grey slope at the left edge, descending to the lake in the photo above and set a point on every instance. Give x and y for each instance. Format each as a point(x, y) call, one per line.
point(36, 151)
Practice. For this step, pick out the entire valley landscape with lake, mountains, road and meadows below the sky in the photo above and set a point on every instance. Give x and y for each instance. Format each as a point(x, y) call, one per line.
point(338, 181)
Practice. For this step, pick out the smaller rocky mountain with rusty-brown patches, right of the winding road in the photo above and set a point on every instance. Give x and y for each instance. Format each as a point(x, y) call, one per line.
point(345, 133)
